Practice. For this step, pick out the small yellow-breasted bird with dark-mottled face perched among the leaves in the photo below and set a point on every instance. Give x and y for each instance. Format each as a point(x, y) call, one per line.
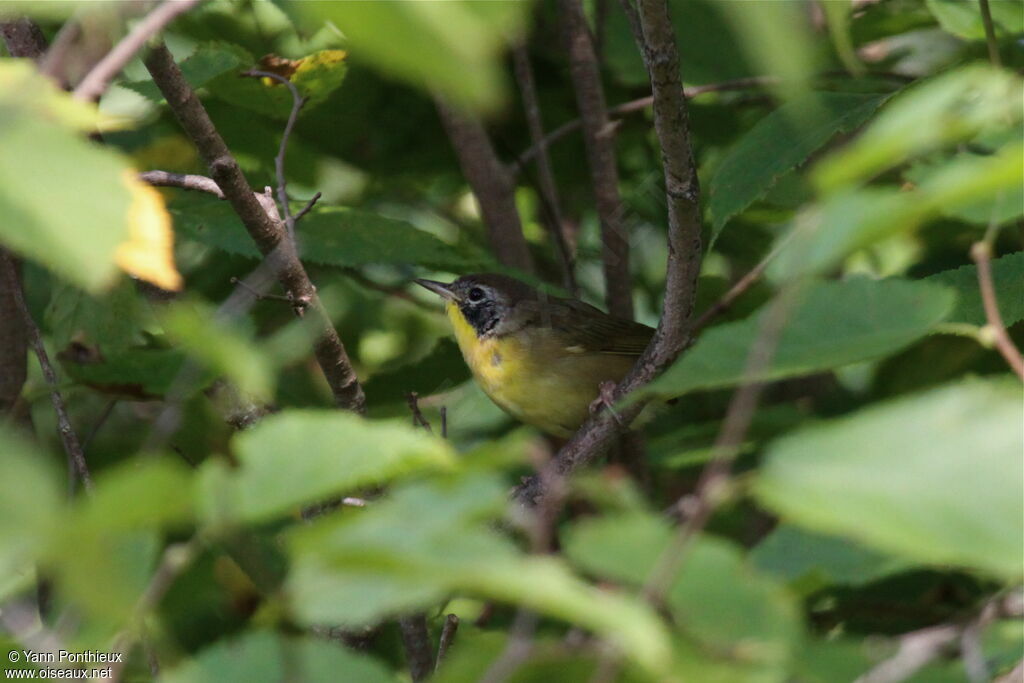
point(541, 359)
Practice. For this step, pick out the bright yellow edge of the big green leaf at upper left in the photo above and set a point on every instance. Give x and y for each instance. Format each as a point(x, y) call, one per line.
point(149, 253)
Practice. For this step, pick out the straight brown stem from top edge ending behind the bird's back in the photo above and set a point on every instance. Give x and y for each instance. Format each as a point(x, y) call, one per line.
point(600, 141)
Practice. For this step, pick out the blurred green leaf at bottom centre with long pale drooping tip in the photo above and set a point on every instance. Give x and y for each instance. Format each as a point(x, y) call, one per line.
point(428, 540)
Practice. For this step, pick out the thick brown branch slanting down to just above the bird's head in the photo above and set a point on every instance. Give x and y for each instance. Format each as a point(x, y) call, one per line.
point(492, 184)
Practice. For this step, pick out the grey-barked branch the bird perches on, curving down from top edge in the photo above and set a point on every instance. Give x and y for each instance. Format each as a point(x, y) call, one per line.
point(676, 327)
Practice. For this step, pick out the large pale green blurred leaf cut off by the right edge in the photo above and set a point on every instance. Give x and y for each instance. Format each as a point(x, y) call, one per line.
point(935, 478)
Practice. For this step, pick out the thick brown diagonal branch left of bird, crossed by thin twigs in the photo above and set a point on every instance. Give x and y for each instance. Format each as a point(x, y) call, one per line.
point(267, 233)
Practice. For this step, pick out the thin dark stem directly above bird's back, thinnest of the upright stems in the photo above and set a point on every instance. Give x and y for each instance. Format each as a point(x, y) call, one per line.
point(549, 191)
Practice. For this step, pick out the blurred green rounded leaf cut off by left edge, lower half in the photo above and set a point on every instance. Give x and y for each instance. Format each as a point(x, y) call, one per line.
point(30, 502)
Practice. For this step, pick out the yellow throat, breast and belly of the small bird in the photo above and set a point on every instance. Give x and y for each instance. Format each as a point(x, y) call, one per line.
point(535, 376)
